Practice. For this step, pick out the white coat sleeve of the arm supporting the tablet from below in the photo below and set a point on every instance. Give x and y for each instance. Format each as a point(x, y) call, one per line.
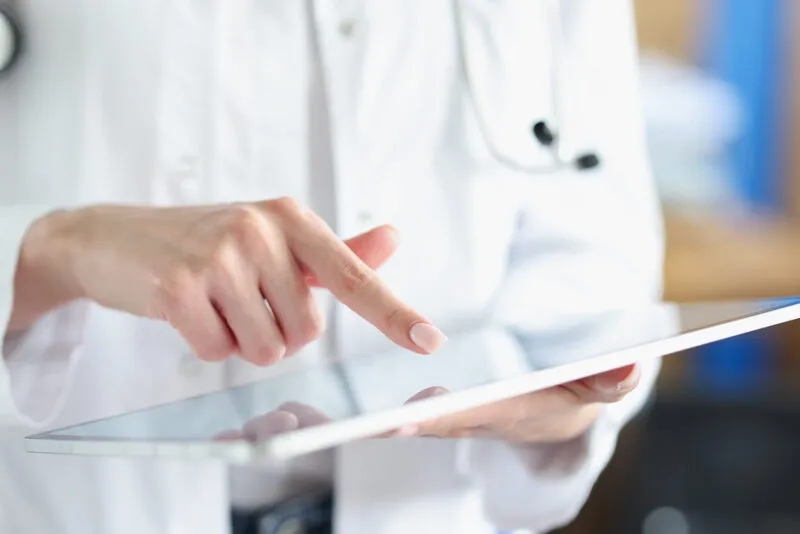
point(588, 242)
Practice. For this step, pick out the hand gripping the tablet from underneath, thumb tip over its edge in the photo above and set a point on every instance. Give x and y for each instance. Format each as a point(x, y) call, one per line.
point(552, 415)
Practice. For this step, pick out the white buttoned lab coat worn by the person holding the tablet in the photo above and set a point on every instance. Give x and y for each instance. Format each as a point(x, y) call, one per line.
point(357, 109)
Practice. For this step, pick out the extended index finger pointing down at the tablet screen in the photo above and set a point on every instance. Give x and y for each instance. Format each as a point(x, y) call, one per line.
point(358, 287)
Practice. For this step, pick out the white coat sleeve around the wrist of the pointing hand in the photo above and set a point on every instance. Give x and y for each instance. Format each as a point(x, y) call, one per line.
point(37, 364)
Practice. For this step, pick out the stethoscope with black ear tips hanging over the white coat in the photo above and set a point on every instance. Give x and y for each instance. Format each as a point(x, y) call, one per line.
point(544, 133)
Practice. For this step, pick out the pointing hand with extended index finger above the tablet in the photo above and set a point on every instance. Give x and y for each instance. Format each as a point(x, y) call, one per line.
point(208, 271)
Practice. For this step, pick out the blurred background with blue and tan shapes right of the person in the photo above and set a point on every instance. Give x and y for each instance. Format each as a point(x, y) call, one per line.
point(716, 452)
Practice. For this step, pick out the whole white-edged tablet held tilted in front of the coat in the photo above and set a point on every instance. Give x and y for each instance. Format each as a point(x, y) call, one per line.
point(324, 405)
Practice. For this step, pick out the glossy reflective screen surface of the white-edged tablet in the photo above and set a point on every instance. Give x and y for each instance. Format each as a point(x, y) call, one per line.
point(318, 394)
